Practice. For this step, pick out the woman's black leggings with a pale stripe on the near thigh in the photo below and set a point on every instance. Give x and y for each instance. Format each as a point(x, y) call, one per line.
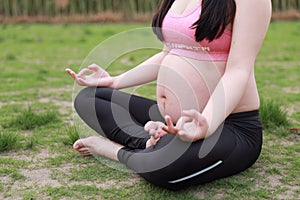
point(171, 163)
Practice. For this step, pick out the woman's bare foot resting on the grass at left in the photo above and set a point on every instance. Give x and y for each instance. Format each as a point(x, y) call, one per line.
point(96, 145)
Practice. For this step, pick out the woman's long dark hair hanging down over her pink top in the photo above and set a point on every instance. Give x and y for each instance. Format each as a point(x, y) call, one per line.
point(215, 16)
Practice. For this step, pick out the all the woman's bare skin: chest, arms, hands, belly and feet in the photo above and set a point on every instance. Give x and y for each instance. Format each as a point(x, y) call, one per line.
point(215, 89)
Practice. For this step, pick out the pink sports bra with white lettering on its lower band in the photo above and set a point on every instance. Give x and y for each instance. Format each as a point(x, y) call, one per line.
point(180, 38)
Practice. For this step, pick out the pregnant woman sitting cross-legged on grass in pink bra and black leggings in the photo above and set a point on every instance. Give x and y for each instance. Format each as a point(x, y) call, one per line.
point(205, 123)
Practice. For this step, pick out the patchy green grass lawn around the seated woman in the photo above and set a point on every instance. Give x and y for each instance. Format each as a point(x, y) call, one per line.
point(38, 124)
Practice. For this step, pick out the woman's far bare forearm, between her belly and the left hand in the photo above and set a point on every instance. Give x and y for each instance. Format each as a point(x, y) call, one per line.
point(143, 73)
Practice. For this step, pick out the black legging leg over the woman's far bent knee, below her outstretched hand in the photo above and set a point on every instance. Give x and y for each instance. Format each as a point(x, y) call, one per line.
point(117, 115)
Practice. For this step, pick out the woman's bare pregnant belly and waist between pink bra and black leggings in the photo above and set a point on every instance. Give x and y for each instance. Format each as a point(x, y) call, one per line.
point(185, 83)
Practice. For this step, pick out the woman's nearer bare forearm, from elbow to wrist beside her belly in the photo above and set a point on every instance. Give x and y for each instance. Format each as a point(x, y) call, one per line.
point(225, 98)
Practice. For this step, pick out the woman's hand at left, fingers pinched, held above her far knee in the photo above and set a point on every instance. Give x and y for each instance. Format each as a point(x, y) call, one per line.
point(98, 76)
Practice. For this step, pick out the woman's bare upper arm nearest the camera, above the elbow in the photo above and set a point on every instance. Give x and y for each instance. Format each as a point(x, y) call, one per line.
point(250, 26)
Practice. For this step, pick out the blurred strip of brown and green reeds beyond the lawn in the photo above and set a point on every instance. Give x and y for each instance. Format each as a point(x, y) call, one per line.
point(104, 10)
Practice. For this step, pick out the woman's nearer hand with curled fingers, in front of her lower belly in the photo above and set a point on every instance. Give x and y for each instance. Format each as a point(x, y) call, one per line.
point(190, 127)
